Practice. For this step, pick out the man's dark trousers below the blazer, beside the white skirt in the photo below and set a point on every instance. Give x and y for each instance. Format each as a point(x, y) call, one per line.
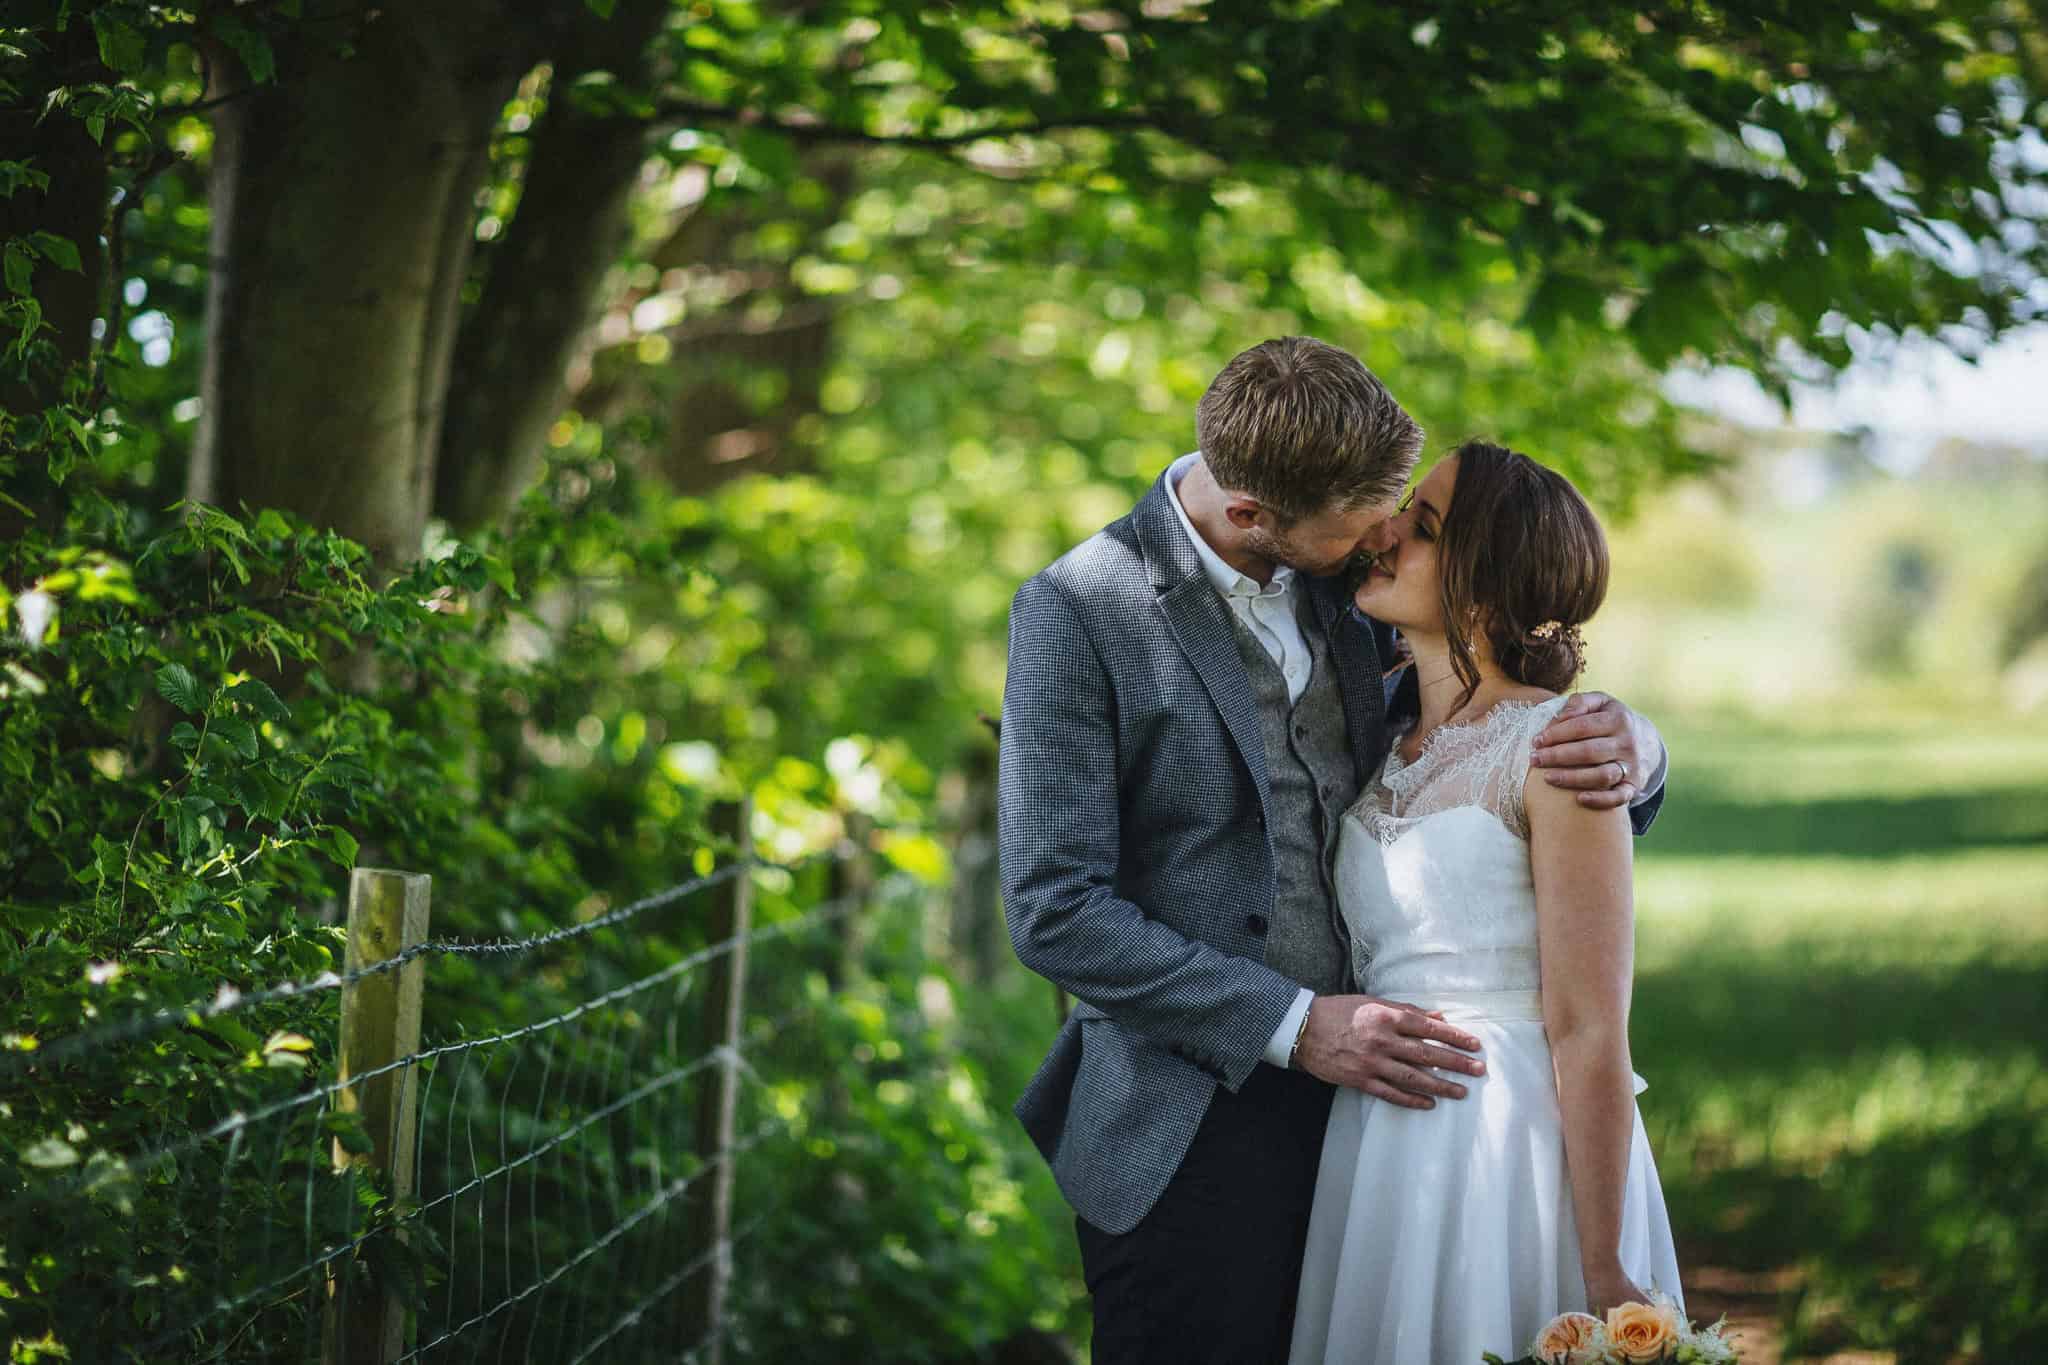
point(1211, 1272)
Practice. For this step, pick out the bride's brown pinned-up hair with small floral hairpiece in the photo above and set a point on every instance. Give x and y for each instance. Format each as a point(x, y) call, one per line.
point(1523, 560)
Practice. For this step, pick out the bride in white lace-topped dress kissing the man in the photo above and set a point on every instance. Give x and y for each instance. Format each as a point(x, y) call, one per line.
point(1502, 906)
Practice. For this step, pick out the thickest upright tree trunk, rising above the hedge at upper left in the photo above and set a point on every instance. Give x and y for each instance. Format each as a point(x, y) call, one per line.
point(343, 202)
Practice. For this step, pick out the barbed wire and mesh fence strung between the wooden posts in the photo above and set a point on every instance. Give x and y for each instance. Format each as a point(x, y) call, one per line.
point(617, 1112)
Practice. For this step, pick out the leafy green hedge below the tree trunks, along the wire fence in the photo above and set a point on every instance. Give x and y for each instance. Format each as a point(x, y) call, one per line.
point(222, 711)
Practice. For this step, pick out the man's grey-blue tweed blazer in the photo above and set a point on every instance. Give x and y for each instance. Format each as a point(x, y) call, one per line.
point(1134, 850)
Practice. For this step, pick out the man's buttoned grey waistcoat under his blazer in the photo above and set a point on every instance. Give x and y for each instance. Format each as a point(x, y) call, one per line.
point(1314, 781)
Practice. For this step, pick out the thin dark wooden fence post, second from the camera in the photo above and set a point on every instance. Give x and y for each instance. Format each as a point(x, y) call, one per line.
point(710, 1198)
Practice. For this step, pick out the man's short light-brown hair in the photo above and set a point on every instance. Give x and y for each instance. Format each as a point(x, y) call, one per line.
point(1304, 427)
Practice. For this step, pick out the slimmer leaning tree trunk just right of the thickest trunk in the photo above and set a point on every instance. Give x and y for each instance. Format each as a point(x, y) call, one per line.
point(546, 279)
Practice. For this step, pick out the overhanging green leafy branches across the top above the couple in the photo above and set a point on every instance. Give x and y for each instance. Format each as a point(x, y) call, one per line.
point(1723, 181)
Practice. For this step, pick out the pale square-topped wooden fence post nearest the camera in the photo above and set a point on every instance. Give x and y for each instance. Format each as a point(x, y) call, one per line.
point(380, 1024)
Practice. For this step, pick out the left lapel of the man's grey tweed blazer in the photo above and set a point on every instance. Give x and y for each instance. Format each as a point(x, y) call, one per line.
point(1201, 625)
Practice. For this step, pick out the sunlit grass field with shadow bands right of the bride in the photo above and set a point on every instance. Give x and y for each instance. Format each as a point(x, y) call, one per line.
point(1842, 1006)
